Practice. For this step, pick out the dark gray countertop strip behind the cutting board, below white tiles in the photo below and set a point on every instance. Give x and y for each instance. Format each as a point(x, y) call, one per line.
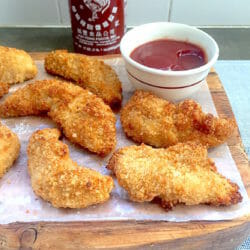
point(234, 43)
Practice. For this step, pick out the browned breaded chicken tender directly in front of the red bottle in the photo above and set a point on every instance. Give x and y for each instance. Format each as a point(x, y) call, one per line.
point(87, 72)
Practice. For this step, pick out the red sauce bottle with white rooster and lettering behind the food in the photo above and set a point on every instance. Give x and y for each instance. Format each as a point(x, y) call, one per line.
point(97, 26)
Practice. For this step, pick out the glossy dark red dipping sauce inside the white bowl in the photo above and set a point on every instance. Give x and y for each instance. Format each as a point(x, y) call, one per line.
point(166, 54)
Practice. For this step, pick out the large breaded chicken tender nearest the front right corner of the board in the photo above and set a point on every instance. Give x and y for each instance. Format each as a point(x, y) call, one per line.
point(179, 174)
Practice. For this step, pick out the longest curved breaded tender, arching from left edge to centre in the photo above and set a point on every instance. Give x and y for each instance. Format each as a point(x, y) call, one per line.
point(84, 118)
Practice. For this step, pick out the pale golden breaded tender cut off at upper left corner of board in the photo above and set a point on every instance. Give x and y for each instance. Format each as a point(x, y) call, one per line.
point(16, 66)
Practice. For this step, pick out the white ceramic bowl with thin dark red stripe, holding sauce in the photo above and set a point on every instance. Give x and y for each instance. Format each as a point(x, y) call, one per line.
point(171, 85)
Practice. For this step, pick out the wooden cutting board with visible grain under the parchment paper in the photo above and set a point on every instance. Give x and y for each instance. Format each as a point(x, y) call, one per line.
point(140, 234)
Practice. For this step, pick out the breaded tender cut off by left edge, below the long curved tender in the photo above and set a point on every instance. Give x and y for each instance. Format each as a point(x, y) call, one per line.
point(9, 149)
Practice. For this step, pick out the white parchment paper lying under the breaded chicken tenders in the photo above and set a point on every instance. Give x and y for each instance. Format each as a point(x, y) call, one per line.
point(19, 203)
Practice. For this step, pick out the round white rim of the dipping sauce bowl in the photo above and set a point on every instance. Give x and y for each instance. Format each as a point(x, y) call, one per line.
point(202, 68)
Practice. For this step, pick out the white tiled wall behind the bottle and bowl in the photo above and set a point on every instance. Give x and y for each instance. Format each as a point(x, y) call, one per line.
point(194, 12)
